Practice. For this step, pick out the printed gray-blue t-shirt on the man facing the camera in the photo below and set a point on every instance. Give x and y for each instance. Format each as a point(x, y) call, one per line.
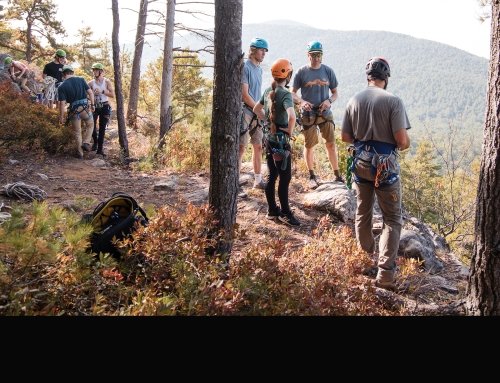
point(315, 84)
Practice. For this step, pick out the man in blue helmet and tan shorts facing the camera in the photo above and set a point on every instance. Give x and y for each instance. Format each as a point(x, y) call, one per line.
point(315, 82)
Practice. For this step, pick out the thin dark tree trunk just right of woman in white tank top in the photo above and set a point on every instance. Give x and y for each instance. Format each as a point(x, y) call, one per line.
point(122, 131)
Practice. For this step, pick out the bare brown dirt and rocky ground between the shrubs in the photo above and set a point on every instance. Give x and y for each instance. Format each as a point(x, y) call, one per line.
point(66, 180)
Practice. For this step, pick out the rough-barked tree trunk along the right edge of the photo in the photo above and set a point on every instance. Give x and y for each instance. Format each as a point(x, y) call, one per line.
point(483, 291)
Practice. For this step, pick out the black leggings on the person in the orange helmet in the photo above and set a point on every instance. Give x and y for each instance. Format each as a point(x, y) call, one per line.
point(283, 184)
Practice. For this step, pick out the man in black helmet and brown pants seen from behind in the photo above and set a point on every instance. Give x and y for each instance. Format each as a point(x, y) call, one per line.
point(375, 121)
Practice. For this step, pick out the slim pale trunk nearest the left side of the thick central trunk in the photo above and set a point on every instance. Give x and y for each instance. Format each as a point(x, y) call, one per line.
point(166, 77)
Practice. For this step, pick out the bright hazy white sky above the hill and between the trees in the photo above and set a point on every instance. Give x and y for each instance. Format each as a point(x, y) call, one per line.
point(453, 22)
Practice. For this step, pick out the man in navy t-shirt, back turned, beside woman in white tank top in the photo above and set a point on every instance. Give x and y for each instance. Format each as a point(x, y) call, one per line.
point(76, 92)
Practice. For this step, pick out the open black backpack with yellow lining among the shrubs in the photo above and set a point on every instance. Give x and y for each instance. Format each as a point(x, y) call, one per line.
point(114, 218)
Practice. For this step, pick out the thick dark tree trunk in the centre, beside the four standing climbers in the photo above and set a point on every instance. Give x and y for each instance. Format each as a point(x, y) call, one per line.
point(224, 141)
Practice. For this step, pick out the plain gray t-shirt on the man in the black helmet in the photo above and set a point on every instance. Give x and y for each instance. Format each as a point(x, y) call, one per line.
point(374, 114)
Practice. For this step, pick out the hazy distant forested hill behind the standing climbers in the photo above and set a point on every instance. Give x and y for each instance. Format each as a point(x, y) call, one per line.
point(439, 84)
